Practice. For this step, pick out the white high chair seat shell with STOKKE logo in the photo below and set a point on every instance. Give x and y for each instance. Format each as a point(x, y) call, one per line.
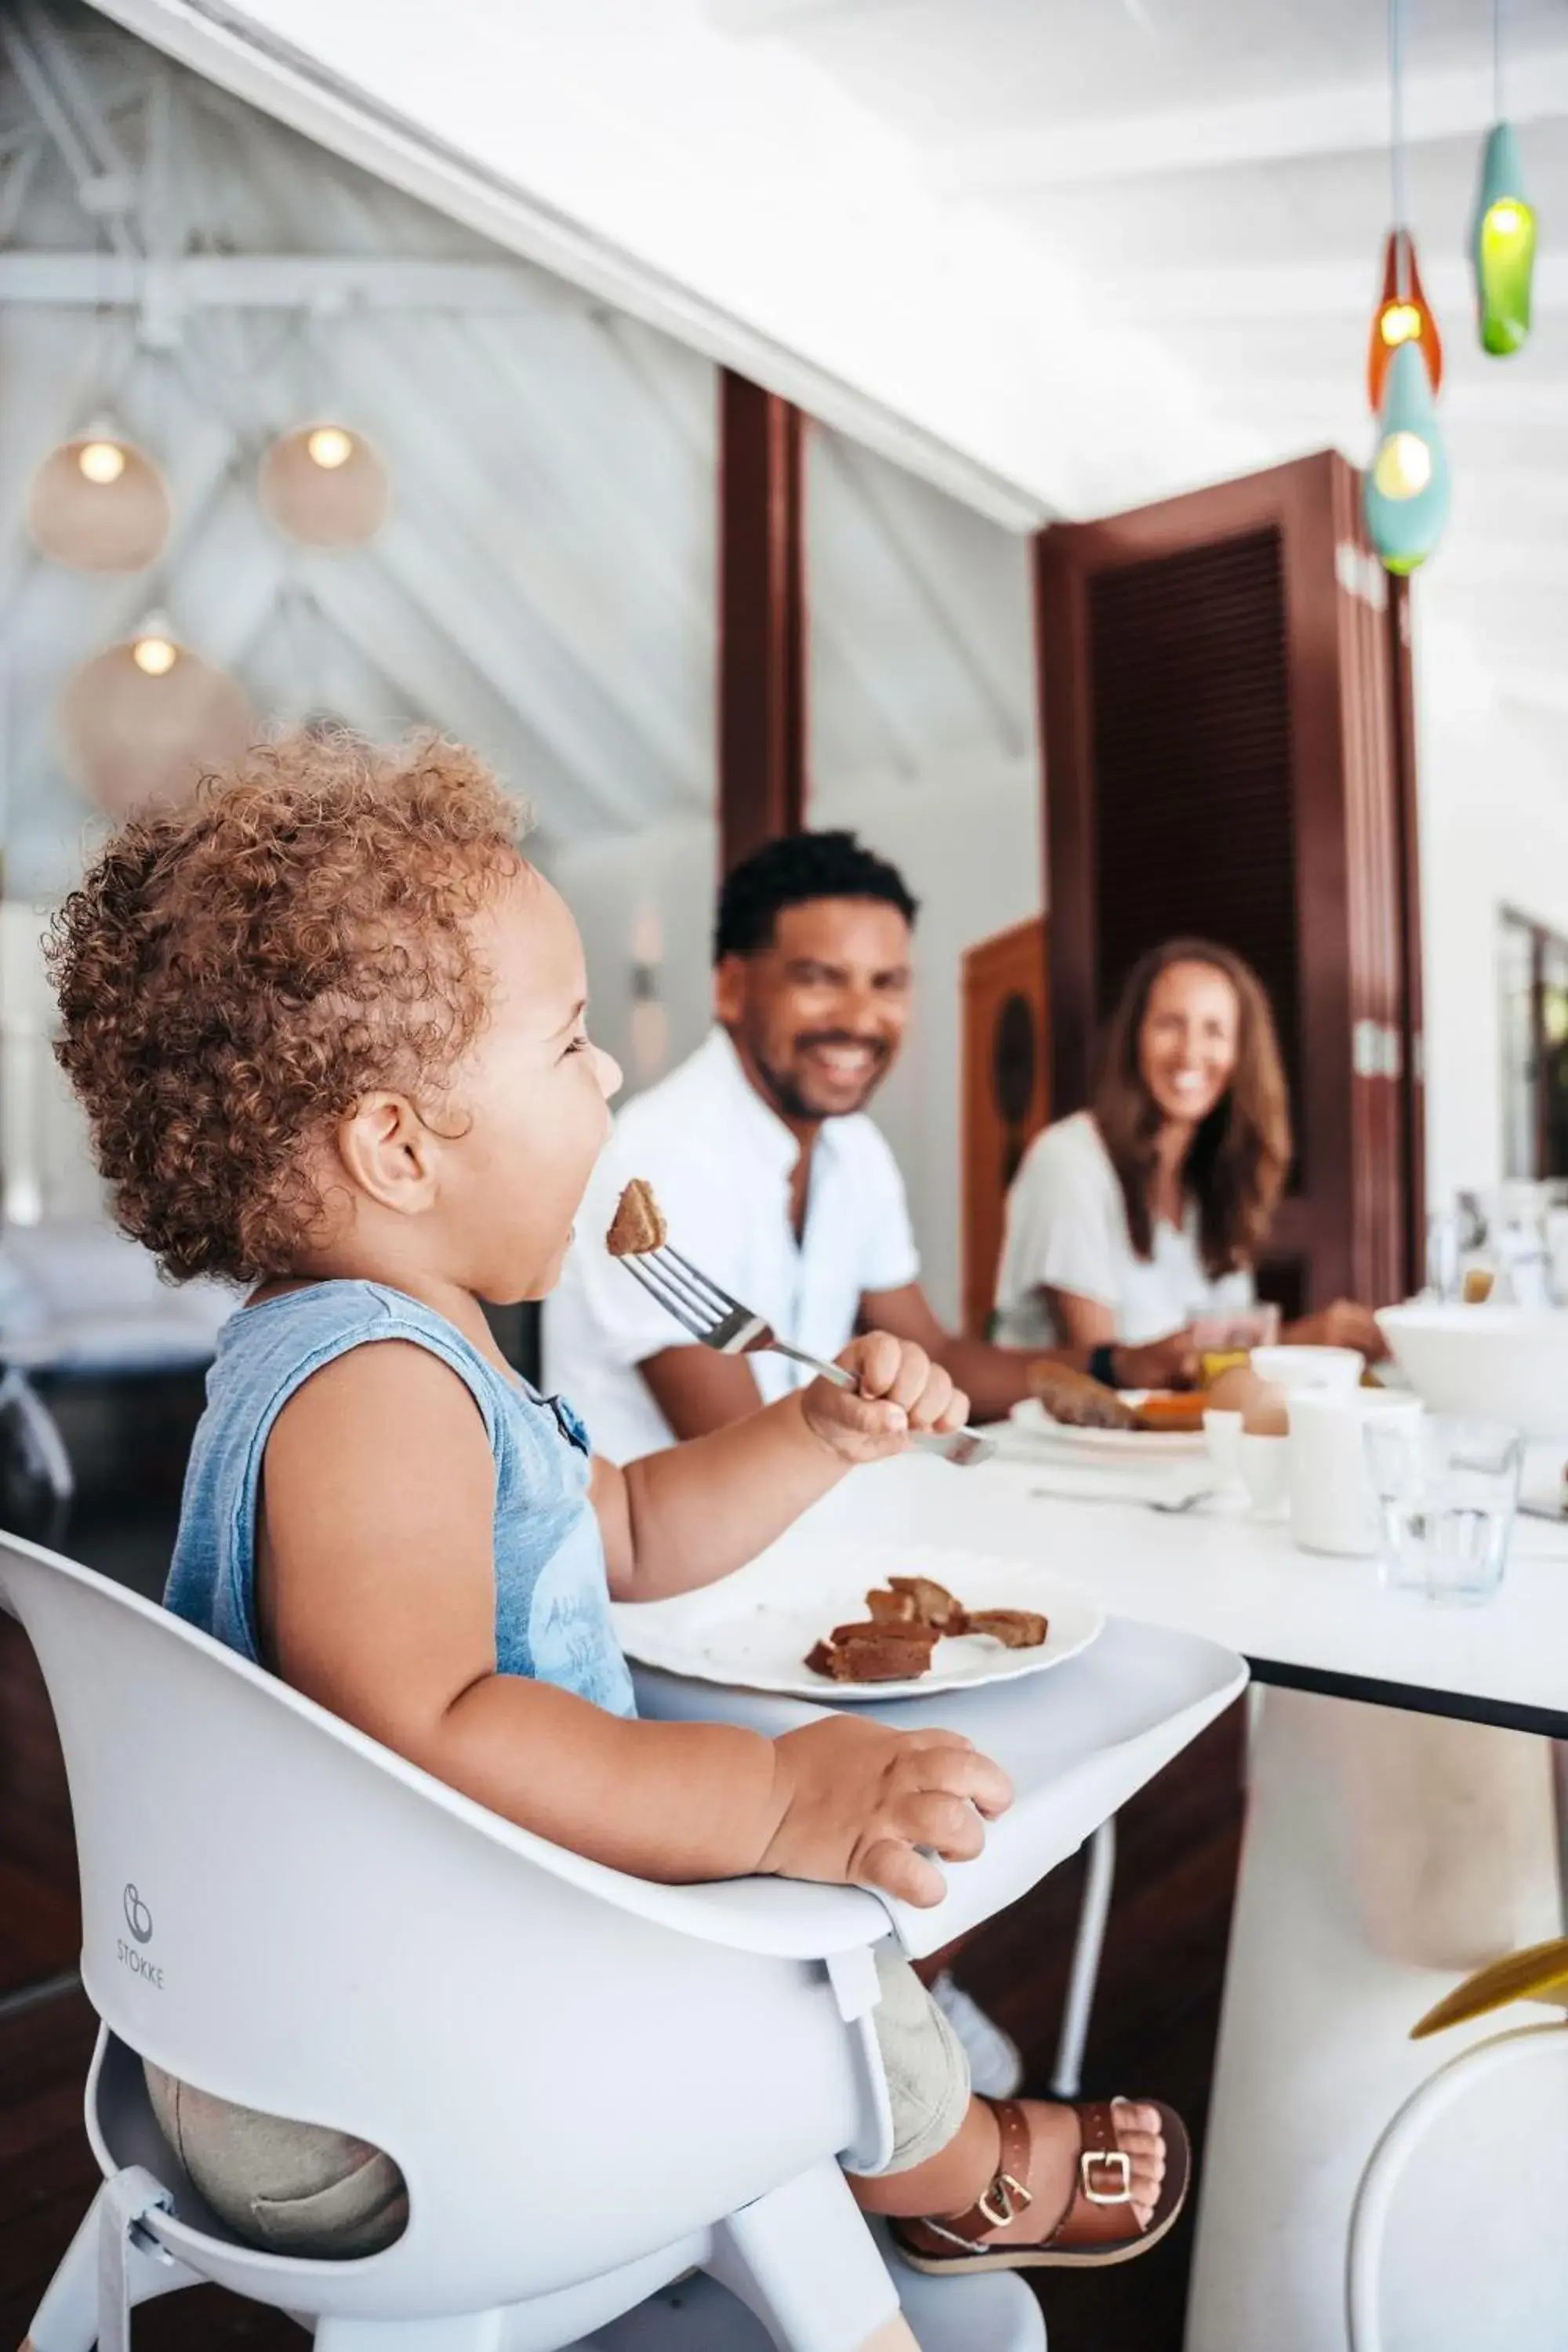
point(572, 2069)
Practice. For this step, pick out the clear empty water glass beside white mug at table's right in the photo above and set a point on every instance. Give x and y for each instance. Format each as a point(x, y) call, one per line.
point(1447, 1497)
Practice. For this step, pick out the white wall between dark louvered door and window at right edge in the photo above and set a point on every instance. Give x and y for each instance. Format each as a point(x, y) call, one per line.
point(1494, 791)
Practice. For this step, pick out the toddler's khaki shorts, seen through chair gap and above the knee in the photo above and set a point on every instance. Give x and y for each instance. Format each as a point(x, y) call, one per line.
point(309, 2191)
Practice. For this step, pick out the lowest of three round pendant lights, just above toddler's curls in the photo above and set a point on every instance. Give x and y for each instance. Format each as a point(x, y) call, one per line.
point(145, 719)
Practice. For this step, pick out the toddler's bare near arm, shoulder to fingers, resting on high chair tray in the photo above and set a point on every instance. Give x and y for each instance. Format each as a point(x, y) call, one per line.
point(377, 1598)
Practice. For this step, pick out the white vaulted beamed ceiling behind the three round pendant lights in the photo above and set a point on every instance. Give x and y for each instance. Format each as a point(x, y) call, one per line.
point(547, 582)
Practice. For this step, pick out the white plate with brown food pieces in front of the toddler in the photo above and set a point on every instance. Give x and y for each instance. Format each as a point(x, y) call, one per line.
point(866, 1622)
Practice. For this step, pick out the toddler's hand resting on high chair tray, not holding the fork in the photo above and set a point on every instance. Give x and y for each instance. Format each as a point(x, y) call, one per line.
point(859, 1800)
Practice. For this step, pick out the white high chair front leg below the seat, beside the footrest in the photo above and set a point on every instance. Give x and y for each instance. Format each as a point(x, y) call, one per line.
point(808, 2266)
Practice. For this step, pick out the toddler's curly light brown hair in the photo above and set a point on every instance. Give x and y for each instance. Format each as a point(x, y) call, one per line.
point(239, 973)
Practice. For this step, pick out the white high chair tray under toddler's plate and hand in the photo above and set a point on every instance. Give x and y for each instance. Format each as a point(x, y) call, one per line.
point(1076, 1744)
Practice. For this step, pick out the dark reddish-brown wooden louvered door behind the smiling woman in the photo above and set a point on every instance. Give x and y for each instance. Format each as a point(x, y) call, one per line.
point(1221, 700)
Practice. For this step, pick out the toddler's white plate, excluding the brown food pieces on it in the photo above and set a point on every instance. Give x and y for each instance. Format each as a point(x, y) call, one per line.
point(756, 1629)
